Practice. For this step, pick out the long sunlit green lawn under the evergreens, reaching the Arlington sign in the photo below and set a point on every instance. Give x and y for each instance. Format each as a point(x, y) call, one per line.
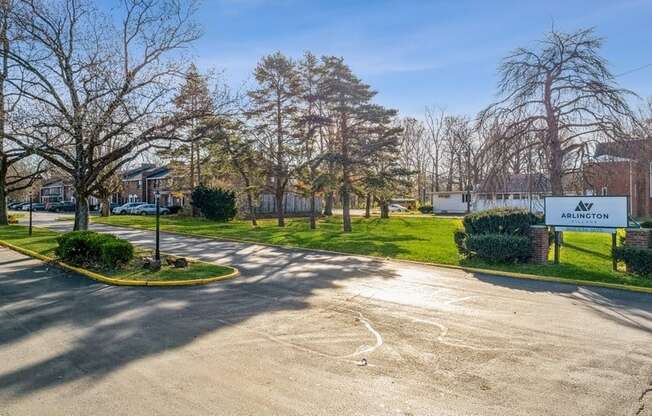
point(585, 256)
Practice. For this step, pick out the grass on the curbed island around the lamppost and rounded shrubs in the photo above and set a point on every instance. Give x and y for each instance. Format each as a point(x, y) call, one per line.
point(43, 241)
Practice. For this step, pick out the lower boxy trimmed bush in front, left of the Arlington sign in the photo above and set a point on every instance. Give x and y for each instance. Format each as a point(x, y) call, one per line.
point(499, 247)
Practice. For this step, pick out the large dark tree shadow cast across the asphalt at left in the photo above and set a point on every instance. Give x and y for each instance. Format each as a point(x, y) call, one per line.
point(121, 325)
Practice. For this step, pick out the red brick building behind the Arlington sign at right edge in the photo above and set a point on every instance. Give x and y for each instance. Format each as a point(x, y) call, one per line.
point(623, 169)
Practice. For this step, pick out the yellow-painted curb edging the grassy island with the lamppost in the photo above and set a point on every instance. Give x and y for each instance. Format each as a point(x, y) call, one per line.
point(119, 282)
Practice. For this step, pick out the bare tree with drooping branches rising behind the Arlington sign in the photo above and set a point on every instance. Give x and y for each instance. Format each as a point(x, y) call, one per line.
point(564, 93)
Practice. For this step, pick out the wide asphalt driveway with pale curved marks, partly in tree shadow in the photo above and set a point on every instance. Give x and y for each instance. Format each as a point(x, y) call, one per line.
point(288, 337)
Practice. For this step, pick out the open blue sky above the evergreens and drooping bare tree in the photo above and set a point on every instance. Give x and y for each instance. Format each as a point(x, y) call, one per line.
point(418, 53)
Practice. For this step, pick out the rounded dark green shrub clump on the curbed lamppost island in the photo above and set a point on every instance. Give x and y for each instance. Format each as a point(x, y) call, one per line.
point(88, 247)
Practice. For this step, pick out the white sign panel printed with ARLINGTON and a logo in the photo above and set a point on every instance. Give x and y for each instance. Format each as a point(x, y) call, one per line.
point(587, 211)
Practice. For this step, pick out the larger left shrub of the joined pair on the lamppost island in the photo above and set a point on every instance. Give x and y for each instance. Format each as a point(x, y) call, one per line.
point(82, 246)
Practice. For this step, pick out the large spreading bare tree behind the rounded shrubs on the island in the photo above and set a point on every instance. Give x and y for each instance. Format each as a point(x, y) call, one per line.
point(89, 78)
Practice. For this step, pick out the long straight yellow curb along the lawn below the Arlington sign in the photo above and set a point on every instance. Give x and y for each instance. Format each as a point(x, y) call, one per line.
point(490, 272)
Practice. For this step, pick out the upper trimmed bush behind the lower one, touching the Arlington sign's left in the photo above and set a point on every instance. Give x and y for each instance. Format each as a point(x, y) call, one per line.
point(501, 221)
